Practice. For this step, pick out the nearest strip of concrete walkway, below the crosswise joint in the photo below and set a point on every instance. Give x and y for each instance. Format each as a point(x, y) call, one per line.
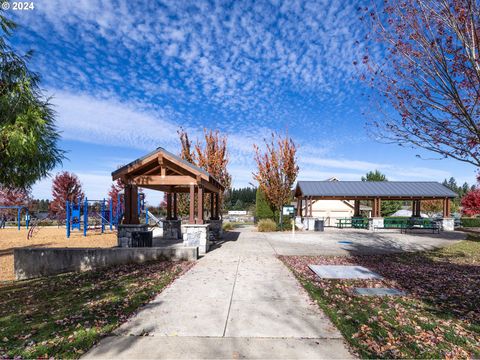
point(154, 347)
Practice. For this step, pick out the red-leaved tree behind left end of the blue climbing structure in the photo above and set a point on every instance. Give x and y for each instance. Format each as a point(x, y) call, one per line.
point(65, 186)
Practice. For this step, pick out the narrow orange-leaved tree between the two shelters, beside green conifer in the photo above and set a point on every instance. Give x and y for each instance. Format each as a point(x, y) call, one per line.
point(277, 170)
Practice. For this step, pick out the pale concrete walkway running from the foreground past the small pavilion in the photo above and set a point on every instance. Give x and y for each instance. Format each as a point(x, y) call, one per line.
point(238, 301)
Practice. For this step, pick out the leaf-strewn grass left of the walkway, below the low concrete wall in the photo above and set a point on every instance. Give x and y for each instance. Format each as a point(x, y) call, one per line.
point(63, 316)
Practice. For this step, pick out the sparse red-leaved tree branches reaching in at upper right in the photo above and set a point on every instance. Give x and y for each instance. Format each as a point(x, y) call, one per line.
point(429, 73)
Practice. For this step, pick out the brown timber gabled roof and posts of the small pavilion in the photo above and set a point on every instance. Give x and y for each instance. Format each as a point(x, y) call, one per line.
point(163, 171)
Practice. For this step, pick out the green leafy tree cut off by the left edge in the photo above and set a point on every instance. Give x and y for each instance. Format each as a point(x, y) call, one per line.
point(28, 135)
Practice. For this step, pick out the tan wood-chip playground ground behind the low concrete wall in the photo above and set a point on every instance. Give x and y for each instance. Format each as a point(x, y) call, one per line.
point(12, 238)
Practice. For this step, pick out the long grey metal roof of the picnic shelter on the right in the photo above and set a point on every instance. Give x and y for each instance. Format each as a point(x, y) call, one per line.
point(406, 189)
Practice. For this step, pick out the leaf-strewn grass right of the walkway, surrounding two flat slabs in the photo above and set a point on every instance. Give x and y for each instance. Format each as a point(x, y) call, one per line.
point(439, 317)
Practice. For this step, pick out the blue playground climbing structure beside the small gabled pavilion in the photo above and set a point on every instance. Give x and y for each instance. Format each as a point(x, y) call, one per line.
point(102, 211)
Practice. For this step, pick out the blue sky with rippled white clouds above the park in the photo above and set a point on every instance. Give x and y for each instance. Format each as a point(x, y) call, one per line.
point(125, 75)
